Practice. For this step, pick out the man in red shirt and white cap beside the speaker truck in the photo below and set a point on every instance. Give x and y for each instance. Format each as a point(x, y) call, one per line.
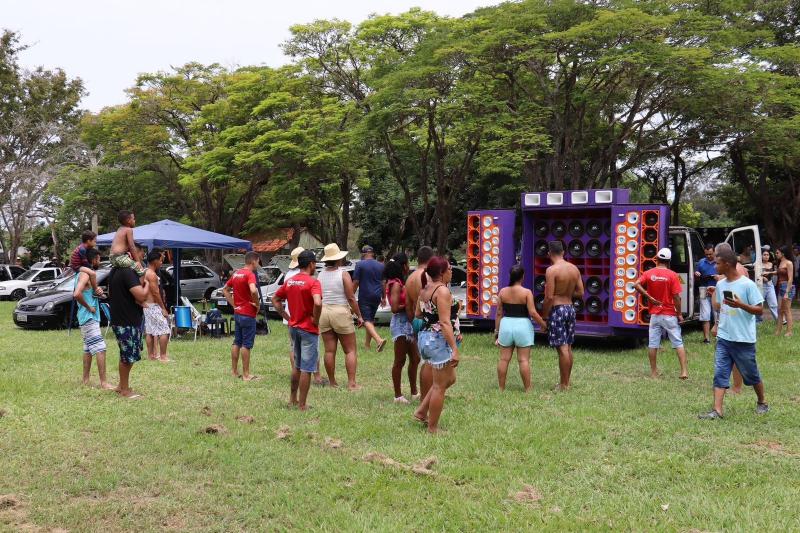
point(662, 287)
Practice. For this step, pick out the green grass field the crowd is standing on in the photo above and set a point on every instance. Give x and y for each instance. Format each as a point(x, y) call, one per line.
point(606, 455)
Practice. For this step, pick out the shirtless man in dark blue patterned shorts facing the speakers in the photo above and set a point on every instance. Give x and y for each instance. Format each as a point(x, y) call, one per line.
point(562, 283)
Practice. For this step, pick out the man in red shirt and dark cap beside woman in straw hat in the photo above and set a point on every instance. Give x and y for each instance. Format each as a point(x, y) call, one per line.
point(304, 294)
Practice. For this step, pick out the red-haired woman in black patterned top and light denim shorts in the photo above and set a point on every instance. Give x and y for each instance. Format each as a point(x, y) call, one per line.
point(438, 338)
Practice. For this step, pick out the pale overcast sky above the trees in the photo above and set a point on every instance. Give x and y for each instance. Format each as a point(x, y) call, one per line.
point(107, 43)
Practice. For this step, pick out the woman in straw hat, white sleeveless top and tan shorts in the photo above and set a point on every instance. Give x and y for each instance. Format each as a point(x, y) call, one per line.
point(336, 321)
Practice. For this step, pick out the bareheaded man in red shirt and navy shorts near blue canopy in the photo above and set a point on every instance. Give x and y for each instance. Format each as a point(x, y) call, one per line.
point(246, 304)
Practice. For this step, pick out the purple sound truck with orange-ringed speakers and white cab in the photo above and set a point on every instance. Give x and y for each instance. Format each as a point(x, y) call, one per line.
point(610, 240)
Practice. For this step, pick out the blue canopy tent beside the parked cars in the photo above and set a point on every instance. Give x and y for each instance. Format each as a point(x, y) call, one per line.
point(169, 234)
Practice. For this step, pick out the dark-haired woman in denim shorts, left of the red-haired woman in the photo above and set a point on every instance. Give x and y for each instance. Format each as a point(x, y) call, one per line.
point(405, 345)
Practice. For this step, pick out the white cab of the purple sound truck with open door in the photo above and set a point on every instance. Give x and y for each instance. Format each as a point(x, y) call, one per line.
point(687, 249)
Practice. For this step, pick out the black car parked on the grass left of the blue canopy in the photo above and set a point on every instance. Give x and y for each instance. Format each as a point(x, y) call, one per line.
point(51, 309)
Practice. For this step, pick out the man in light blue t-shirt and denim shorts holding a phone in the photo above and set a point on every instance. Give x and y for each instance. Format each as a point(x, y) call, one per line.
point(738, 302)
